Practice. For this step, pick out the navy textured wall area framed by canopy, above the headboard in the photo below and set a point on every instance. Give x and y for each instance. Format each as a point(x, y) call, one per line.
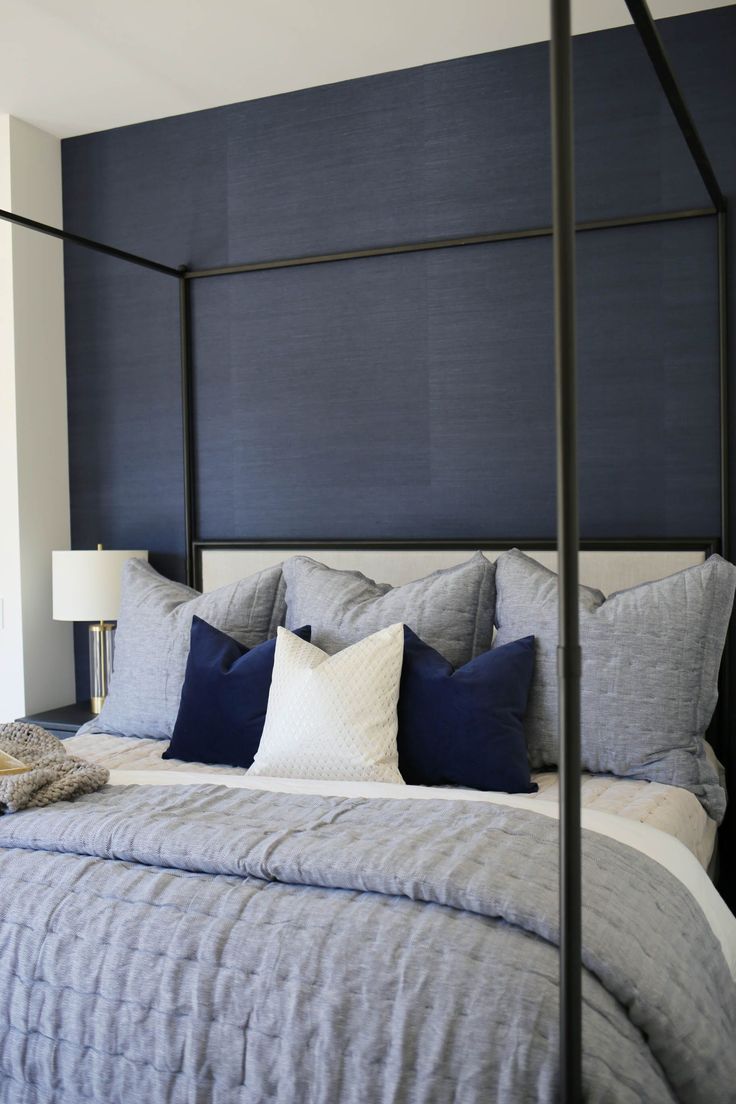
point(414, 395)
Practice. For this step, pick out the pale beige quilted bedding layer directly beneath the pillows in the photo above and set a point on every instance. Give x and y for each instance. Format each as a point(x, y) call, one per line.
point(669, 809)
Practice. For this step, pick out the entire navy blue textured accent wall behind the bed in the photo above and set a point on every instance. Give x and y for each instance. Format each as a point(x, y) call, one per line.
point(409, 396)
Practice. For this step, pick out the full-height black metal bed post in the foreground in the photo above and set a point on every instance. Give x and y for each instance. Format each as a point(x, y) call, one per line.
point(569, 652)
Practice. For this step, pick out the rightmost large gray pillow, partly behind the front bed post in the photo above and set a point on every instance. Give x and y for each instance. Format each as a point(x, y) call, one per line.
point(650, 671)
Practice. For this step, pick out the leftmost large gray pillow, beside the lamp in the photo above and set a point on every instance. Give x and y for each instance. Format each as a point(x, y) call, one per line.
point(152, 643)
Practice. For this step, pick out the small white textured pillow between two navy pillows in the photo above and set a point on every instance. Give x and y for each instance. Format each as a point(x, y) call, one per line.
point(334, 717)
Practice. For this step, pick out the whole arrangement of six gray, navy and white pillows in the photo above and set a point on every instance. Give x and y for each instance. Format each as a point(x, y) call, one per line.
point(407, 684)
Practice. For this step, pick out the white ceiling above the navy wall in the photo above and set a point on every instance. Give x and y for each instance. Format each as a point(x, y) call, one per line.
point(72, 67)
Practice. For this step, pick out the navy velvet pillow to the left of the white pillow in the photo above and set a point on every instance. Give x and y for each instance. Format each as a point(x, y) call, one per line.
point(225, 698)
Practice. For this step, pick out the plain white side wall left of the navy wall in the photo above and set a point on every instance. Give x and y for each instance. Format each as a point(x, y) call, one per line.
point(37, 663)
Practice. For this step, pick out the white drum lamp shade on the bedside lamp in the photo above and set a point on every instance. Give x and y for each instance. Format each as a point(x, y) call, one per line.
point(88, 585)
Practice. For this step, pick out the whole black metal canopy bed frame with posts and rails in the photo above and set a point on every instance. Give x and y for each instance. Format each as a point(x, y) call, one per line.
point(569, 543)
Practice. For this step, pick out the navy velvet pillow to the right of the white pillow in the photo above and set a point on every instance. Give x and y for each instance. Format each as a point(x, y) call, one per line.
point(464, 728)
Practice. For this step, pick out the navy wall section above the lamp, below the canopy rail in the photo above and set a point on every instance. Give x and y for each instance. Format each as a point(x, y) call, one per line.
point(125, 419)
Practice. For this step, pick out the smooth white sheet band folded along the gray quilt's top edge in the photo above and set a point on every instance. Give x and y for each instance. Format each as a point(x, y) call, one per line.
point(659, 846)
